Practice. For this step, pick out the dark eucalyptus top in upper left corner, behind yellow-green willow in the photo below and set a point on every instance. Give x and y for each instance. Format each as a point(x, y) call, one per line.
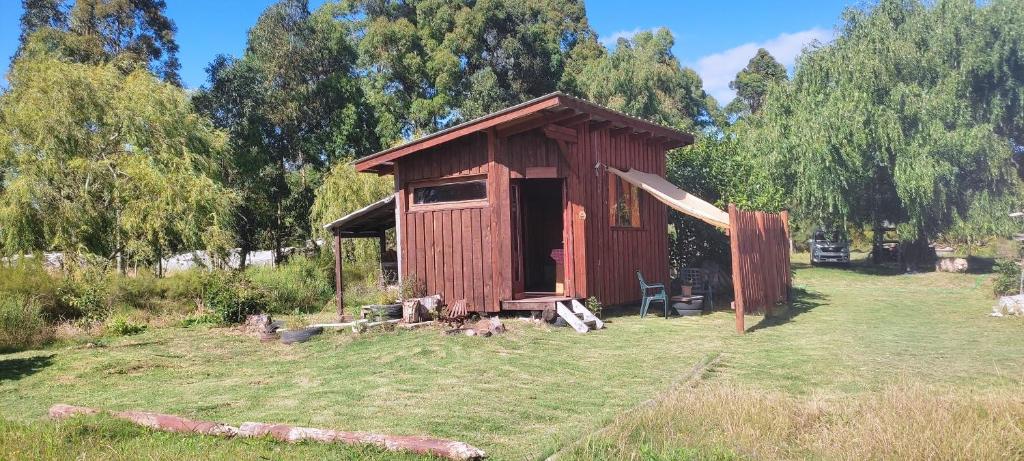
point(131, 33)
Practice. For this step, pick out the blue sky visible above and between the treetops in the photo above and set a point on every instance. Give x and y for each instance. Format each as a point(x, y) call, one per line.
point(716, 38)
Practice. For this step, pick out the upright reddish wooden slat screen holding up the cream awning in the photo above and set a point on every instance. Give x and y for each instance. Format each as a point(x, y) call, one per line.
point(761, 273)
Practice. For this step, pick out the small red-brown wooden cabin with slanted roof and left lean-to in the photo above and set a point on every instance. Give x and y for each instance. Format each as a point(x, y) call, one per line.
point(519, 209)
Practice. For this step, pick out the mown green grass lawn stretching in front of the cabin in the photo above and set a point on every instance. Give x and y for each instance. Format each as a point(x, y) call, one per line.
point(859, 350)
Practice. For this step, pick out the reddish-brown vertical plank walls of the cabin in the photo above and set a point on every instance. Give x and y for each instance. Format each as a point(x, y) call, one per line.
point(466, 253)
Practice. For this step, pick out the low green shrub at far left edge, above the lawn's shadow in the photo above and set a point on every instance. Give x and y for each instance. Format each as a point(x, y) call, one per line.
point(22, 324)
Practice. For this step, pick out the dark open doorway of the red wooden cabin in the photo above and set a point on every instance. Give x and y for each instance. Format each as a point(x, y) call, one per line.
point(541, 229)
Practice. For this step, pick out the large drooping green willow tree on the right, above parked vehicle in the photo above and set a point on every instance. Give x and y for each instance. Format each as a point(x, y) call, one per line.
point(881, 124)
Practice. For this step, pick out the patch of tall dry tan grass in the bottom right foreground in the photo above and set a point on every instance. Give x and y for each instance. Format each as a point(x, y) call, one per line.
point(906, 422)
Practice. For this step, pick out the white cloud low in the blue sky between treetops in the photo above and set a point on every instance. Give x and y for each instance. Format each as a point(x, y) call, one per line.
point(718, 70)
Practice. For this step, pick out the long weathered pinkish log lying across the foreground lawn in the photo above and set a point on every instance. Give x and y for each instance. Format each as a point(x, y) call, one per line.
point(421, 445)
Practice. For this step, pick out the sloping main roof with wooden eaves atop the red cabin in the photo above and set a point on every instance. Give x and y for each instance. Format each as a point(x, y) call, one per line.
point(554, 108)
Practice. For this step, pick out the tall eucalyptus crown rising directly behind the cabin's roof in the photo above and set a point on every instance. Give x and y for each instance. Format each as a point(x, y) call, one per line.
point(435, 63)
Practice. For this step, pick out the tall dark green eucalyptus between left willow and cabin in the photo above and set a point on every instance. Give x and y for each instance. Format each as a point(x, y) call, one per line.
point(292, 106)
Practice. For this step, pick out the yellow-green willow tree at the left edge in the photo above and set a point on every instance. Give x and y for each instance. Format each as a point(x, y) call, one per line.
point(96, 161)
